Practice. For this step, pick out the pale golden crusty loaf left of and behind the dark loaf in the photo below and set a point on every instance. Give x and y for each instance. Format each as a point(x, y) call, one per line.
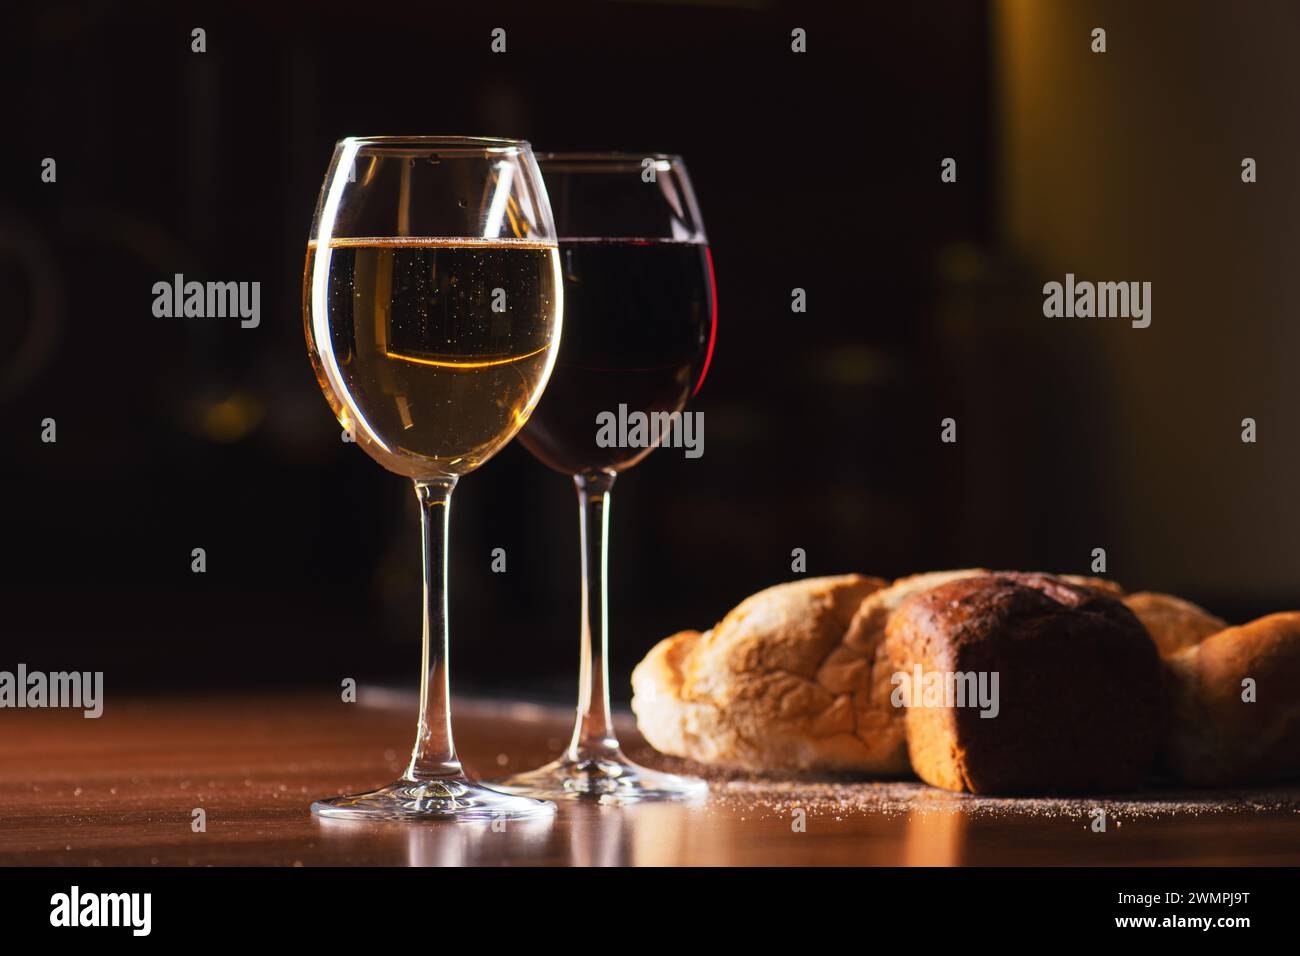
point(720, 697)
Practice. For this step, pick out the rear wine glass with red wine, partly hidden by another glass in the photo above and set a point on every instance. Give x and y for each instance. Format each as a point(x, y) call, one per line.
point(639, 332)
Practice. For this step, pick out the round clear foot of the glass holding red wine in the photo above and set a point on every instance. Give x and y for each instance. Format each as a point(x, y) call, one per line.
point(613, 780)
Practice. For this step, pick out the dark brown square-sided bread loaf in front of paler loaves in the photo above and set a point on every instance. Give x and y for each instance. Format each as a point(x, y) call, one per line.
point(1078, 686)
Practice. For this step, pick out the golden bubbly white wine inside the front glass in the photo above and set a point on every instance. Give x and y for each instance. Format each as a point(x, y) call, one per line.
point(434, 353)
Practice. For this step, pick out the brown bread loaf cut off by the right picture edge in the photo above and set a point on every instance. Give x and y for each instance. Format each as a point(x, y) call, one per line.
point(1236, 706)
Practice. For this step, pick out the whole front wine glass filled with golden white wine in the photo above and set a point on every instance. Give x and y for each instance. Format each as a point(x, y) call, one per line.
point(432, 300)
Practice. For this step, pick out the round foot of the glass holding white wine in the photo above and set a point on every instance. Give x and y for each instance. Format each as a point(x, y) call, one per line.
point(456, 798)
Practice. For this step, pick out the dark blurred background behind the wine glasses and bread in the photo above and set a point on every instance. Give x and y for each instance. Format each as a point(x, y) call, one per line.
point(820, 171)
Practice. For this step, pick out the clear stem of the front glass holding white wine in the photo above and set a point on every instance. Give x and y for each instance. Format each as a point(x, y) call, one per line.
point(435, 754)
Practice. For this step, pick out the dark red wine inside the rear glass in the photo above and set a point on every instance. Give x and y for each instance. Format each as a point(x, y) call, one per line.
point(638, 330)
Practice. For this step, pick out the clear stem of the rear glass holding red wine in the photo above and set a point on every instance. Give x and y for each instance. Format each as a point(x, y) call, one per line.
point(593, 733)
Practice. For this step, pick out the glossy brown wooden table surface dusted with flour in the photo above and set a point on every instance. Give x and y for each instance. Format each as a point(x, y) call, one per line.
point(122, 790)
